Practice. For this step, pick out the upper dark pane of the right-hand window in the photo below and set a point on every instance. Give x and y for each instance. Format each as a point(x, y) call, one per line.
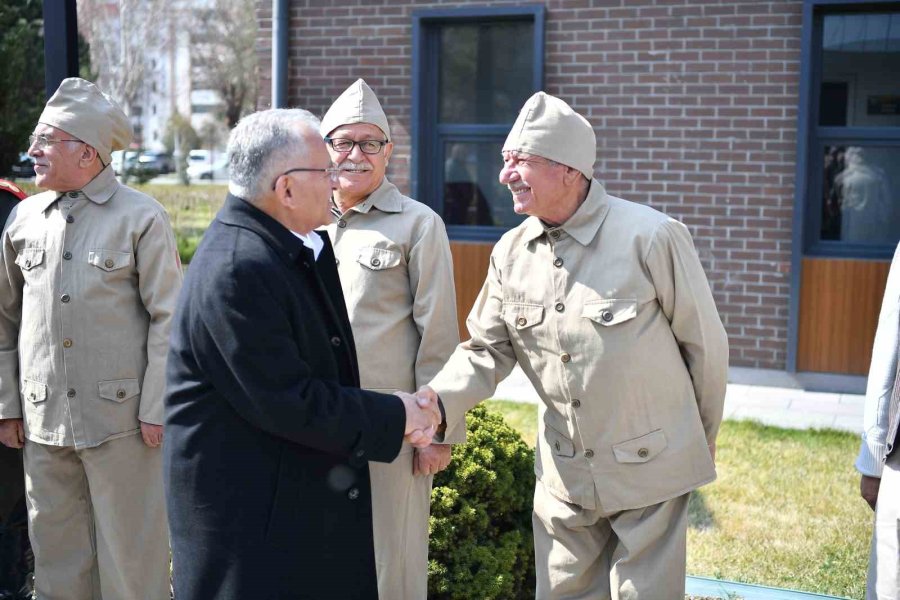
point(861, 70)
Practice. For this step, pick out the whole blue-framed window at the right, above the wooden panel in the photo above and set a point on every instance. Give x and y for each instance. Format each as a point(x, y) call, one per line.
point(848, 166)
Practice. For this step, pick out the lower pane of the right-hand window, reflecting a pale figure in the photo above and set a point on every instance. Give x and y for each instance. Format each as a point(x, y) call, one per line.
point(861, 194)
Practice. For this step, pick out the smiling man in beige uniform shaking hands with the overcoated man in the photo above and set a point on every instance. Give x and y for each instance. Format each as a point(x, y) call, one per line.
point(605, 306)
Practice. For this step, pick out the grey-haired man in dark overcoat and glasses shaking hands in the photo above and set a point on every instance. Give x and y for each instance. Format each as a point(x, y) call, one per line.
point(268, 434)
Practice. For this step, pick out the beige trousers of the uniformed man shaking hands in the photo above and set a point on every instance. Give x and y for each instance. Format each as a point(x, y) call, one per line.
point(583, 554)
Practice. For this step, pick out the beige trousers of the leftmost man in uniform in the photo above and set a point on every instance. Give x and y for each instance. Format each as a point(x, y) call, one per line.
point(97, 519)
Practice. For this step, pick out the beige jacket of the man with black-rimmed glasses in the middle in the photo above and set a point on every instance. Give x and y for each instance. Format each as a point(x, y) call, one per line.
point(397, 274)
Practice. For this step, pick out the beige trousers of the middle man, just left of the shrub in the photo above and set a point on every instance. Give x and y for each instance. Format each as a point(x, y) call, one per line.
point(401, 505)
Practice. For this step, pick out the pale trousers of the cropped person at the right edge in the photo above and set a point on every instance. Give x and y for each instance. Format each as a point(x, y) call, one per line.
point(884, 560)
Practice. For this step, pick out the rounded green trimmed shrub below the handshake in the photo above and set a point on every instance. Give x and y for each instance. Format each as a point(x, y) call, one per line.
point(481, 540)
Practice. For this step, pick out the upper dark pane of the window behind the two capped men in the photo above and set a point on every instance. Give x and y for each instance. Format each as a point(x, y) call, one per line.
point(485, 71)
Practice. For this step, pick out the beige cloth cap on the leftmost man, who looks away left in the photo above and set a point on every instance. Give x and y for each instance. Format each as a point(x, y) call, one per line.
point(80, 109)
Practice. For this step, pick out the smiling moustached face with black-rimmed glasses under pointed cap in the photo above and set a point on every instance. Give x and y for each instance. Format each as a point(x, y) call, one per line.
point(361, 173)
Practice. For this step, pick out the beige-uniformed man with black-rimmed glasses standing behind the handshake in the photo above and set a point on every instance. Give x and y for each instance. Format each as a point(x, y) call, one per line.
point(397, 275)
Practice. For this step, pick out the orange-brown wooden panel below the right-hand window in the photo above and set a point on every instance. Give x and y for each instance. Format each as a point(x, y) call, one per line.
point(839, 304)
